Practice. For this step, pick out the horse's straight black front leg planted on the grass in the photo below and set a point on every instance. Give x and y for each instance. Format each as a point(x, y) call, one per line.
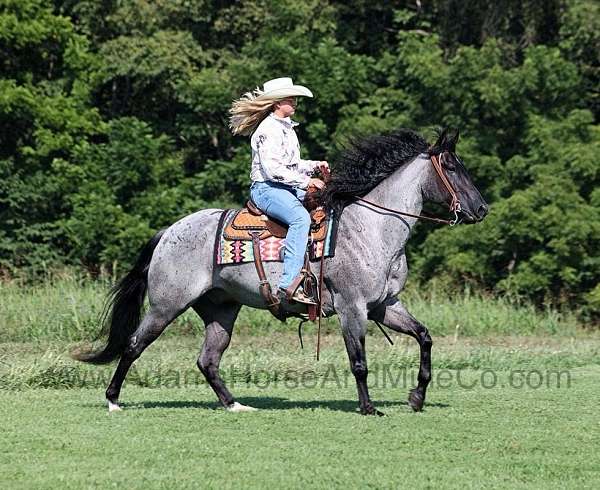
point(354, 328)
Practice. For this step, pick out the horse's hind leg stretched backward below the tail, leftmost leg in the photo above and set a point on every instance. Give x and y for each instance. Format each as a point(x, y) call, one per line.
point(150, 328)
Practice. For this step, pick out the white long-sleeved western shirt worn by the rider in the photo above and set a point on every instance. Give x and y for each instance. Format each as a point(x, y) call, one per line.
point(276, 154)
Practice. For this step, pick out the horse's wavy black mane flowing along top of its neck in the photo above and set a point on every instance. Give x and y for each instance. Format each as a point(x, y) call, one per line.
point(366, 161)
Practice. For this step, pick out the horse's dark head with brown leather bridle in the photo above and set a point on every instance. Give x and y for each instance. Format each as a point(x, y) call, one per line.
point(452, 183)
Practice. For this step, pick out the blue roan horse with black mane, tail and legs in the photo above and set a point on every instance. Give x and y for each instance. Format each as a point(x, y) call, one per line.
point(361, 282)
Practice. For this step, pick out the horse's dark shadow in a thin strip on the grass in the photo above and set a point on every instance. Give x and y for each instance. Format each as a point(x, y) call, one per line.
point(274, 403)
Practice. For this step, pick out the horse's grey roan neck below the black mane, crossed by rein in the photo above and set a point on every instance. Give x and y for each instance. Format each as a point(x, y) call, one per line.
point(402, 191)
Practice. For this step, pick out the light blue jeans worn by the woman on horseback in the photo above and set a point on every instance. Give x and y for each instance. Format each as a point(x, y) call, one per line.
point(284, 203)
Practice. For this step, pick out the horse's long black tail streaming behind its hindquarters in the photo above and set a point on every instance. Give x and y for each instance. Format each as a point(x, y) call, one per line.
point(122, 312)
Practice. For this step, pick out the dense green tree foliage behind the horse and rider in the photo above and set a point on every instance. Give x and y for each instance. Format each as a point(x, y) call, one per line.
point(113, 121)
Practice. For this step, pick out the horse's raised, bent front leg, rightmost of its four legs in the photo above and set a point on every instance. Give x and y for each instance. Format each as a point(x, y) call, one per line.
point(395, 316)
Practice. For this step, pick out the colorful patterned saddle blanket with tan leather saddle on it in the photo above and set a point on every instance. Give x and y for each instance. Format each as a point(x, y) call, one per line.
point(234, 241)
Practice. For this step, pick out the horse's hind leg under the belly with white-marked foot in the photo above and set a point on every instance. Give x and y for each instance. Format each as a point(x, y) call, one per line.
point(219, 321)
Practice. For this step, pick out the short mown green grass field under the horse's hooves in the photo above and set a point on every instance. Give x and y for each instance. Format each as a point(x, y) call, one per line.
point(502, 412)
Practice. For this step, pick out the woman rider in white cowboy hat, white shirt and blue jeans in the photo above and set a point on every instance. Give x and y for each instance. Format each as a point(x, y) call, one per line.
point(279, 176)
